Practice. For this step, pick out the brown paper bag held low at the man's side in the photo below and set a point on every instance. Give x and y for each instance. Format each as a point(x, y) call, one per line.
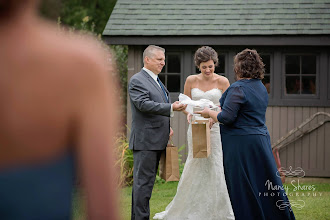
point(169, 164)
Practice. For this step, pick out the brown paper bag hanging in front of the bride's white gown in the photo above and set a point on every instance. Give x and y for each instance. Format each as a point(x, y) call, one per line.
point(201, 138)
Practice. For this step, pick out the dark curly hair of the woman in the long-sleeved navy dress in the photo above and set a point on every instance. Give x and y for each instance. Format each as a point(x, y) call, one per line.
point(248, 64)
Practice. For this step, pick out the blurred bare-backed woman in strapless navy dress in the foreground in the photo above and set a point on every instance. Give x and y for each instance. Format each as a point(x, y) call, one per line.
point(56, 117)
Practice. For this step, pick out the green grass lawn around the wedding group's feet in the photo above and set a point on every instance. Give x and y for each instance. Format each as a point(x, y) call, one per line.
point(316, 206)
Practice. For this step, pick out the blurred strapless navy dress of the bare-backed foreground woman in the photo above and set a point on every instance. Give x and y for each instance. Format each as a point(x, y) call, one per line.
point(38, 192)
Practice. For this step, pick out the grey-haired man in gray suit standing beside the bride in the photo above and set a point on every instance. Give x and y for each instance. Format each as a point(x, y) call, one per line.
point(151, 111)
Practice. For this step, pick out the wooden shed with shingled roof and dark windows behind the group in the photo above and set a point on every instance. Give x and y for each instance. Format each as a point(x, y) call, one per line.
point(293, 37)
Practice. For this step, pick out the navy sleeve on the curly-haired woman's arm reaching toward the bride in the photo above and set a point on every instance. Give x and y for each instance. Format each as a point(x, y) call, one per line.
point(231, 105)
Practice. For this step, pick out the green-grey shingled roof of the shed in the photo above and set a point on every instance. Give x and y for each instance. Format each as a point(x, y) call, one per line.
point(219, 17)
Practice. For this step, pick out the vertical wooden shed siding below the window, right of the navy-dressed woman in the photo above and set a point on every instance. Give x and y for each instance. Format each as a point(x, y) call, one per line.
point(311, 152)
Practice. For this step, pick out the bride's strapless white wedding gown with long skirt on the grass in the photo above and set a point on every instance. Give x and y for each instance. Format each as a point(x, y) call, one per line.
point(202, 191)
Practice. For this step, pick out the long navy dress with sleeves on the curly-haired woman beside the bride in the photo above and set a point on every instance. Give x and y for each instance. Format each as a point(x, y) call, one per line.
point(255, 191)
